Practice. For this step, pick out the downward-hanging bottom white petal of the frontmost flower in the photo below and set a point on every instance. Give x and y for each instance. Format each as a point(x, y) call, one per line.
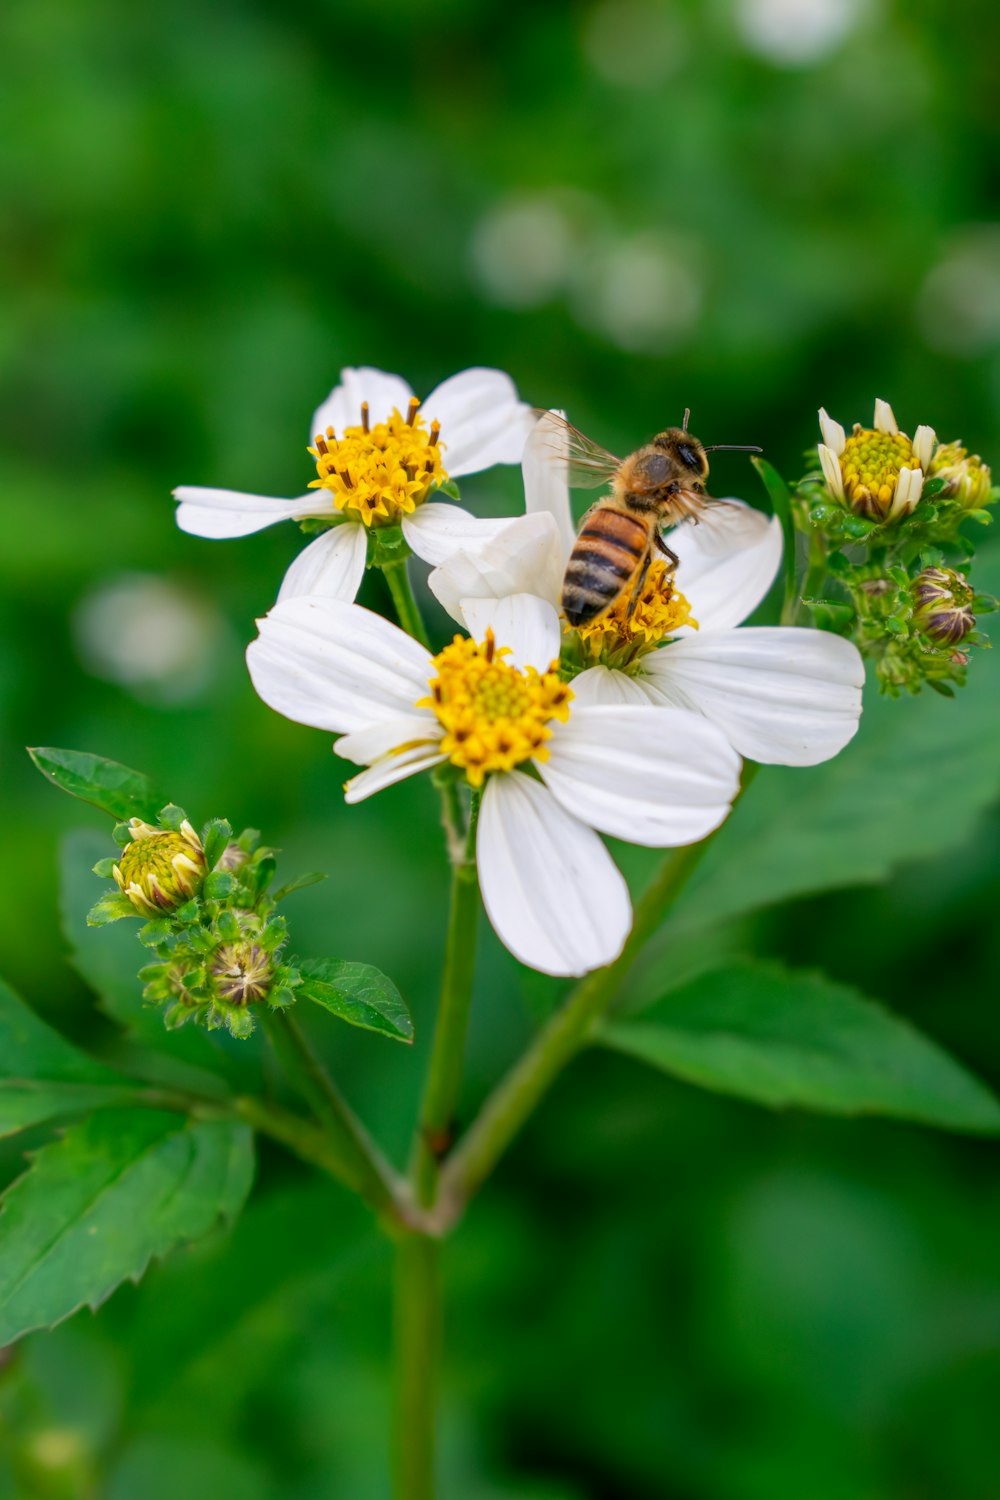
point(549, 886)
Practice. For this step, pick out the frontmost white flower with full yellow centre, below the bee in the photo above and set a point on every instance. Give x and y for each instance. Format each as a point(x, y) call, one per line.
point(555, 770)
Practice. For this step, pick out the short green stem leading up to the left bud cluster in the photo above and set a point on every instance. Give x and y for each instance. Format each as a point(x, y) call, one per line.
point(361, 1163)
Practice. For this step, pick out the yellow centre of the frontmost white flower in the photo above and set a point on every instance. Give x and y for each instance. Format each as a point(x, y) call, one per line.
point(494, 715)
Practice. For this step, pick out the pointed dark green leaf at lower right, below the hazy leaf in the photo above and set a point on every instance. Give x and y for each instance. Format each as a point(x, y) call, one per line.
point(782, 1039)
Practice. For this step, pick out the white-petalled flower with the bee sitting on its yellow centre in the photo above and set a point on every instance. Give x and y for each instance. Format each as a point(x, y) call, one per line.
point(782, 695)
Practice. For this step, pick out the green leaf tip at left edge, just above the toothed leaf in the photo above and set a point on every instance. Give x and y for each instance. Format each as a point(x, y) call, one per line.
point(43, 1076)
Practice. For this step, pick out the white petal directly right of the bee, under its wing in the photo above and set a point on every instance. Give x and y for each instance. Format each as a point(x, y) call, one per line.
point(728, 568)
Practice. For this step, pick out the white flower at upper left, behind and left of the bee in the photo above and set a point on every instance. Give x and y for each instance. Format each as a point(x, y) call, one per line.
point(380, 455)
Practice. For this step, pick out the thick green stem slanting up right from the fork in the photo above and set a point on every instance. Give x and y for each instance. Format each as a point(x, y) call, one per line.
point(516, 1097)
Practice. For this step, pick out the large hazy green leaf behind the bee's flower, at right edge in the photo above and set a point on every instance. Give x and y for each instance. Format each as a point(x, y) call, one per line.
point(912, 785)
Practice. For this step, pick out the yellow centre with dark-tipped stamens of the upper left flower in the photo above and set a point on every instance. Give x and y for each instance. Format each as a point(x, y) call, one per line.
point(382, 472)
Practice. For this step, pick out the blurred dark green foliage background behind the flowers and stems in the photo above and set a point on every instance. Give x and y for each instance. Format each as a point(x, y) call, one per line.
point(750, 208)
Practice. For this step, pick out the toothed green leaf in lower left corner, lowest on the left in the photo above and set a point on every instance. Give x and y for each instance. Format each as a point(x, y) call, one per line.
point(100, 1204)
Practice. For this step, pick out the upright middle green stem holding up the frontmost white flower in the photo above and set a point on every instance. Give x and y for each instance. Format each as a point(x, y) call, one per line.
point(445, 1078)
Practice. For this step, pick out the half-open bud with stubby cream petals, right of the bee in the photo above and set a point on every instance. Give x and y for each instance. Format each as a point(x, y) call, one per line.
point(876, 472)
